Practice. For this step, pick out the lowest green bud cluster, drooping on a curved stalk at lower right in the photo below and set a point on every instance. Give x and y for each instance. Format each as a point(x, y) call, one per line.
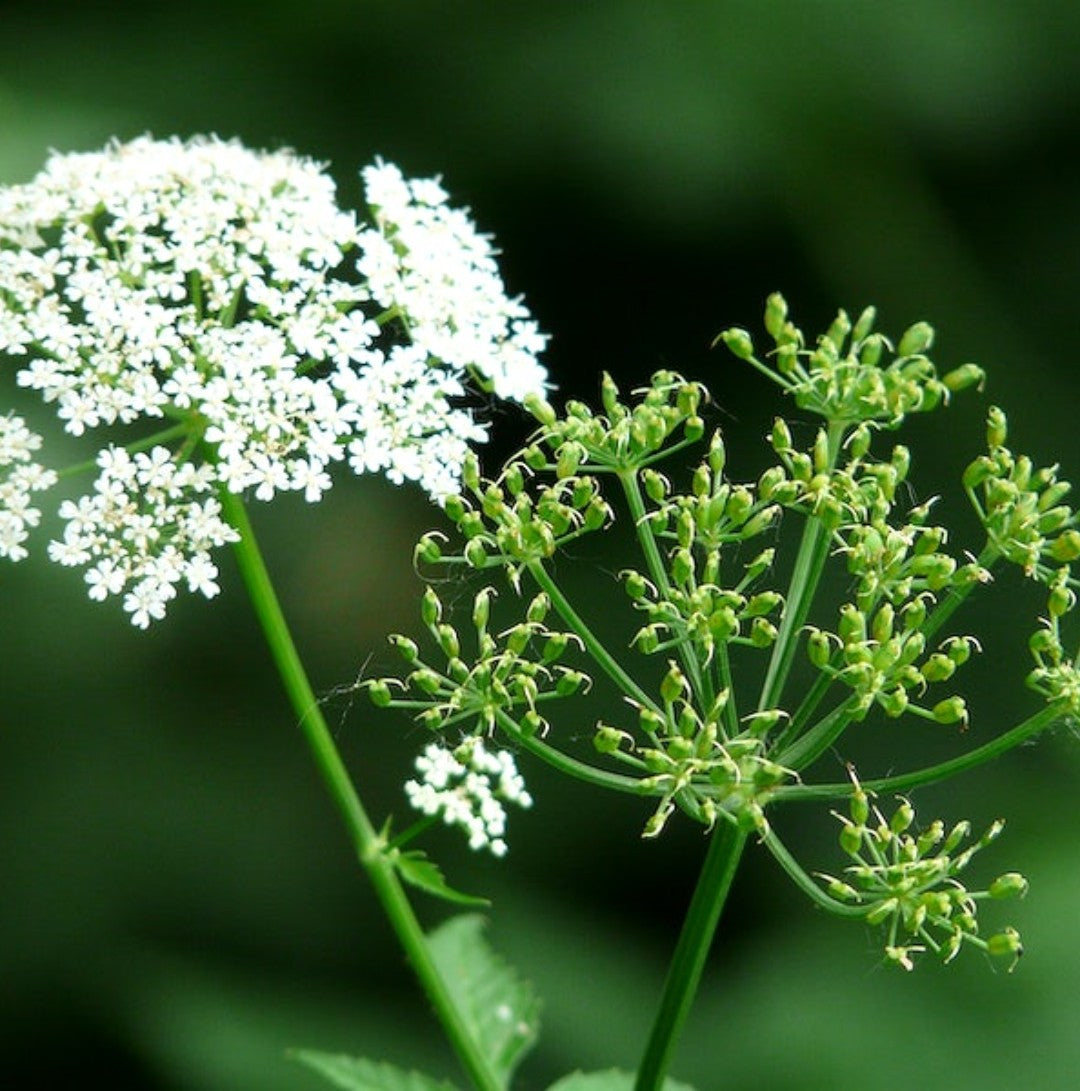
point(907, 882)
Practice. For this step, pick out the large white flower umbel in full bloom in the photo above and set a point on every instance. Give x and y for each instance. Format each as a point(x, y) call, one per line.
point(215, 291)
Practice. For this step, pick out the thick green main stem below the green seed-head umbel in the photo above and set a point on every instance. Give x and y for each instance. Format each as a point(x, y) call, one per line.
point(726, 849)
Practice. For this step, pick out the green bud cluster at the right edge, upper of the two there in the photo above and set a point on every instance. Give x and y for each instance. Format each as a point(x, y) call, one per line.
point(1022, 506)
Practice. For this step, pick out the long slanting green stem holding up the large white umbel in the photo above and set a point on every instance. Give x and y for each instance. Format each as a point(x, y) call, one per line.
point(369, 845)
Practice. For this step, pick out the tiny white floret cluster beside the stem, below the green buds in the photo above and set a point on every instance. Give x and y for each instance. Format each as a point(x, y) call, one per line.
point(469, 787)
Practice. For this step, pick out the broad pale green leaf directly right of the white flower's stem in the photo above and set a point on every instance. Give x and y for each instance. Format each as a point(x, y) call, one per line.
point(501, 1009)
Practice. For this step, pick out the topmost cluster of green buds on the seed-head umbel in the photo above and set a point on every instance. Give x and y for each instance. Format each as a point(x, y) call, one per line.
point(846, 377)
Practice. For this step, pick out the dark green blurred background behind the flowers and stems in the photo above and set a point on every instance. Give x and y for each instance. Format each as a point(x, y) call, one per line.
point(178, 905)
